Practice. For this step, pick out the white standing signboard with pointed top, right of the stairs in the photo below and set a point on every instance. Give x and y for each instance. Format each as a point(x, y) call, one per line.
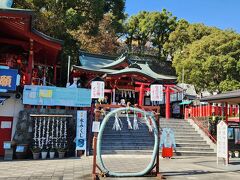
point(222, 141)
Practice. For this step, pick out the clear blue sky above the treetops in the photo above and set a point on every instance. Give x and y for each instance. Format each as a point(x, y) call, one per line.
point(224, 14)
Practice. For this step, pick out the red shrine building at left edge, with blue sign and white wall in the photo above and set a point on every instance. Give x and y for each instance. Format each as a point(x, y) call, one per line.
point(27, 56)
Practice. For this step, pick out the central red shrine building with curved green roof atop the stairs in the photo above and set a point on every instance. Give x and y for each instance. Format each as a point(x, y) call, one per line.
point(126, 80)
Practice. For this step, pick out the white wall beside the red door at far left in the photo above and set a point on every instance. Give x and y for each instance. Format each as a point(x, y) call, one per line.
point(11, 108)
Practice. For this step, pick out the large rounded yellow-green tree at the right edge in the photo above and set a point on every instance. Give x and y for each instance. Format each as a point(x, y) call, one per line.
point(212, 62)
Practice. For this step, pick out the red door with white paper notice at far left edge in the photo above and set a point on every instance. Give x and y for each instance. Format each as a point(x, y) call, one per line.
point(5, 131)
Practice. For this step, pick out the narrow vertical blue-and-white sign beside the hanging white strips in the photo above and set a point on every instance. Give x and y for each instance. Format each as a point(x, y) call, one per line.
point(81, 130)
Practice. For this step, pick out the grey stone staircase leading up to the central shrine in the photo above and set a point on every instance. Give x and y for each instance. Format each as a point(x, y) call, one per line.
point(127, 141)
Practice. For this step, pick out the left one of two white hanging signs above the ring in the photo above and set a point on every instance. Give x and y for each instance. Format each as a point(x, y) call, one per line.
point(97, 89)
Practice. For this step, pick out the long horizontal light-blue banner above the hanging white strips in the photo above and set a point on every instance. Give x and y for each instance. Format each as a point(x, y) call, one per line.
point(55, 96)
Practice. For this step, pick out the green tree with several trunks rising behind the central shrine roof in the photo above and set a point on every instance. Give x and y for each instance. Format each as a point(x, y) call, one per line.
point(152, 27)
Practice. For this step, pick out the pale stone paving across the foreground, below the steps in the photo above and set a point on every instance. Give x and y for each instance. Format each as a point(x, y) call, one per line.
point(66, 169)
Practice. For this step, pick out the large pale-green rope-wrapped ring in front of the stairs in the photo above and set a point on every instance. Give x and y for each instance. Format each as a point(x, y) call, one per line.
point(99, 145)
